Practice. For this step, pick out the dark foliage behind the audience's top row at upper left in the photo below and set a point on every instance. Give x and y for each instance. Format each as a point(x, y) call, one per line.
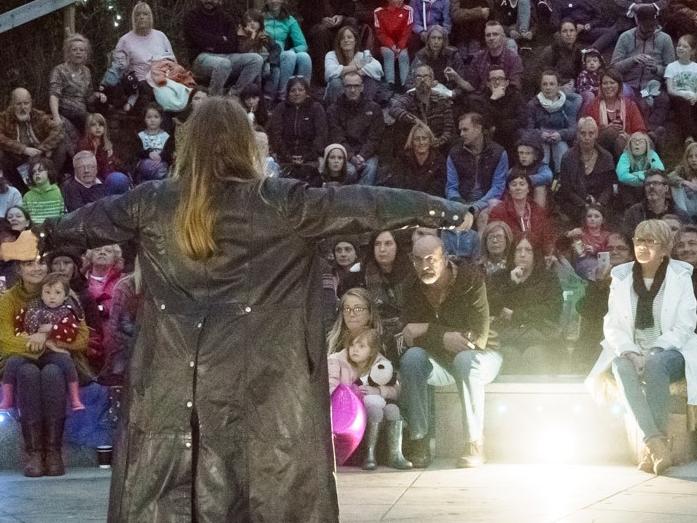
point(29, 52)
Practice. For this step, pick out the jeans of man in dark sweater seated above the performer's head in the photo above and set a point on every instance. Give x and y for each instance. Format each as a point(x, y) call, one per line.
point(245, 67)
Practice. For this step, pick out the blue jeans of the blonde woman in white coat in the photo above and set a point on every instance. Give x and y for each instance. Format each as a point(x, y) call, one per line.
point(648, 398)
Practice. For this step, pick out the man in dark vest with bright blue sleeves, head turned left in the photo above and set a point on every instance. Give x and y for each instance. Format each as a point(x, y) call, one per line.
point(476, 167)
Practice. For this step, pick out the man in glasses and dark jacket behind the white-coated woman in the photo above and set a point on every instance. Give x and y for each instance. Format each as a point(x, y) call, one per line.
point(655, 205)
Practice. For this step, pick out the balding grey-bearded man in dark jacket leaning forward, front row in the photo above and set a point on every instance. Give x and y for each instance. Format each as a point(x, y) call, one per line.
point(446, 315)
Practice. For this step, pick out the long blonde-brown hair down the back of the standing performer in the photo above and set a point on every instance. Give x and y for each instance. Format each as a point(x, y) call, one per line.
point(216, 146)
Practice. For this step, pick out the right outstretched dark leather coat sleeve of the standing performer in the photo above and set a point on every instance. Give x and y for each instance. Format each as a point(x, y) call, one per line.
point(353, 209)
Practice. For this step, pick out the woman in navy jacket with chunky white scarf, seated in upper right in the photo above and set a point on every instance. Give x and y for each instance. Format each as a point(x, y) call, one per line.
point(553, 114)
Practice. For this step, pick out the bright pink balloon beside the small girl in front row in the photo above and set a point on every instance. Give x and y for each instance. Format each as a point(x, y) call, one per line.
point(349, 419)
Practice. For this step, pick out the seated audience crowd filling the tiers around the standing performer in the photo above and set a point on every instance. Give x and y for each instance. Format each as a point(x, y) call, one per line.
point(425, 95)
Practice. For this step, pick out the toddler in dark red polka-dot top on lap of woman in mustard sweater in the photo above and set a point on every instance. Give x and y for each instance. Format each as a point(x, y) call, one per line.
point(52, 314)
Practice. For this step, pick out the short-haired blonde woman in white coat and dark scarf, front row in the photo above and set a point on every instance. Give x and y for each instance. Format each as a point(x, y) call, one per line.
point(649, 337)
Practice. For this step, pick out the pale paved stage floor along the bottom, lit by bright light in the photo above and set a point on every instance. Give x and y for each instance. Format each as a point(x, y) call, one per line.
point(495, 493)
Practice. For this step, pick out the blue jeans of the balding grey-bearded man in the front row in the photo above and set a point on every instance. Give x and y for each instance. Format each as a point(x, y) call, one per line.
point(470, 370)
